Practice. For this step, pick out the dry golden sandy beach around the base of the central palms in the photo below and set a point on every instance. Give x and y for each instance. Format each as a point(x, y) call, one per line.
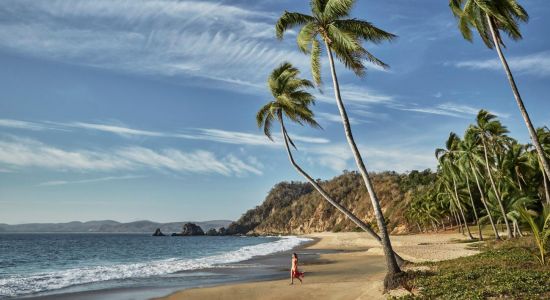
point(356, 271)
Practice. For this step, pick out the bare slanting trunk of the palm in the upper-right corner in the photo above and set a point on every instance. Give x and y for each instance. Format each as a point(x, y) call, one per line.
point(519, 101)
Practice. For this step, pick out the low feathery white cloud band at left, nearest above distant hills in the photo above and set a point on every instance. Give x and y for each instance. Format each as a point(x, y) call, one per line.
point(18, 152)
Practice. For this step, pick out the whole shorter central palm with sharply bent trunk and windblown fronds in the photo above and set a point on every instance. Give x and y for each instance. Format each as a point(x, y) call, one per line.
point(291, 100)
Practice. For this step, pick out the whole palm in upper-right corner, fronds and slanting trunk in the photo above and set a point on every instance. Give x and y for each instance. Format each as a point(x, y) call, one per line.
point(489, 18)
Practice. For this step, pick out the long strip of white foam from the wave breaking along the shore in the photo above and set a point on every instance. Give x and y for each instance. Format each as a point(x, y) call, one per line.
point(21, 285)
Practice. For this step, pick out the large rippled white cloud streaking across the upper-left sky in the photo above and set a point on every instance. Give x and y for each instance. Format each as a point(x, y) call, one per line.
point(194, 38)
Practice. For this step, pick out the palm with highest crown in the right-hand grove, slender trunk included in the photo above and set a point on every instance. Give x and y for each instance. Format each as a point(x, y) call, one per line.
point(489, 130)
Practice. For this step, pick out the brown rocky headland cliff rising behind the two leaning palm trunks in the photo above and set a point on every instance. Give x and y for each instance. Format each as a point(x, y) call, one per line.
point(296, 208)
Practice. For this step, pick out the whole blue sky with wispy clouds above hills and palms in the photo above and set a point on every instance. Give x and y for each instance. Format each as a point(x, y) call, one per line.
point(133, 110)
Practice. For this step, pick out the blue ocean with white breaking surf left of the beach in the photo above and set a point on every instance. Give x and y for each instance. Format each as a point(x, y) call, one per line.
point(34, 265)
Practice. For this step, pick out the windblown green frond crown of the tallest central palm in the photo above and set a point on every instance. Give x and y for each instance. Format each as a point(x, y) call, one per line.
point(344, 36)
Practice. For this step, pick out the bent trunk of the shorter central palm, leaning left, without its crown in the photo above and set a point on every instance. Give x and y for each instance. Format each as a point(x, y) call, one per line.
point(353, 218)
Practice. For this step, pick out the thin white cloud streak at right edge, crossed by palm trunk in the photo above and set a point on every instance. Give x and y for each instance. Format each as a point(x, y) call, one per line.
point(537, 64)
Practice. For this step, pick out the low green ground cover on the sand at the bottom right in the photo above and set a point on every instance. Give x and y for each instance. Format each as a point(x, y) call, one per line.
point(504, 270)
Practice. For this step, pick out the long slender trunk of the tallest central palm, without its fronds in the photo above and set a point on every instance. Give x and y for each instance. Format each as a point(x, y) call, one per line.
point(393, 267)
